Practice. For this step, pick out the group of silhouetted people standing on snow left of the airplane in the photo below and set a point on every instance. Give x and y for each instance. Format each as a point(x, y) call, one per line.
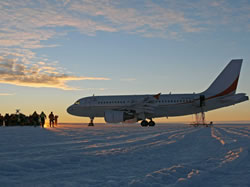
point(35, 119)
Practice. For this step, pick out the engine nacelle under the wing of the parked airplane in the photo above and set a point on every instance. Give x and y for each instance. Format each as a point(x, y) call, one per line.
point(112, 116)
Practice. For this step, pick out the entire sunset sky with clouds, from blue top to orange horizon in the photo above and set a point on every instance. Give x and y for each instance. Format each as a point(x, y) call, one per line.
point(53, 52)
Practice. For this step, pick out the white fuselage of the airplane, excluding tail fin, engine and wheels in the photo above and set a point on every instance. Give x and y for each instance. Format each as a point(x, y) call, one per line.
point(167, 105)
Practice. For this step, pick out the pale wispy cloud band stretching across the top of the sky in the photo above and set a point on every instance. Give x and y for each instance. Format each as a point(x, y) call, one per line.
point(27, 23)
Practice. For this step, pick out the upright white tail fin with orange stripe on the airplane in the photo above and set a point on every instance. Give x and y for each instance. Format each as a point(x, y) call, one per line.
point(227, 81)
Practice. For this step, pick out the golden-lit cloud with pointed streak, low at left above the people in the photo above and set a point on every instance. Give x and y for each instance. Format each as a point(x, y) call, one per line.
point(36, 75)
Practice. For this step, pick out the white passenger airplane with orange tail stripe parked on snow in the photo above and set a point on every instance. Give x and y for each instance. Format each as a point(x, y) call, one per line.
point(143, 108)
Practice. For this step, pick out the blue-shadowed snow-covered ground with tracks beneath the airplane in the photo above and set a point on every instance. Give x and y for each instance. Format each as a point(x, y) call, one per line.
point(125, 155)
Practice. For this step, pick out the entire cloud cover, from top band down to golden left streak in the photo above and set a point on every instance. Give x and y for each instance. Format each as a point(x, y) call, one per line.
point(25, 25)
